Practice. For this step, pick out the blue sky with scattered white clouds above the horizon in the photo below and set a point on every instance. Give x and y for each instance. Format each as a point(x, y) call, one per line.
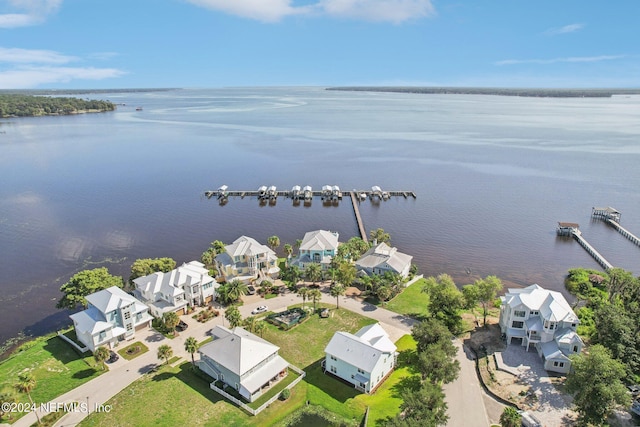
point(221, 43)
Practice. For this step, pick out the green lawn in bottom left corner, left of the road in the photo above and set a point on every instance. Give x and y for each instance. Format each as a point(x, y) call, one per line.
point(56, 366)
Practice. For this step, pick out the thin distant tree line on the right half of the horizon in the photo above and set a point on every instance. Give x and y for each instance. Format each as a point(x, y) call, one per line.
point(524, 92)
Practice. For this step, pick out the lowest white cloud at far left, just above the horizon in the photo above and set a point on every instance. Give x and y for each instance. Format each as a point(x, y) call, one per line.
point(25, 78)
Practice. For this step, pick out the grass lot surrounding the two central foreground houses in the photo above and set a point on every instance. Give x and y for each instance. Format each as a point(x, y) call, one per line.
point(180, 397)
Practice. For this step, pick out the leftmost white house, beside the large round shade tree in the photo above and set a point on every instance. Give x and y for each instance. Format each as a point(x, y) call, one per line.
point(112, 316)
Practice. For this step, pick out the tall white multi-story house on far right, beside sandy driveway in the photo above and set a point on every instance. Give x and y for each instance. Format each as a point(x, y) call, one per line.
point(542, 318)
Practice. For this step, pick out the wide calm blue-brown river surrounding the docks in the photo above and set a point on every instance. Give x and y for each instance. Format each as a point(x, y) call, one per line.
point(493, 175)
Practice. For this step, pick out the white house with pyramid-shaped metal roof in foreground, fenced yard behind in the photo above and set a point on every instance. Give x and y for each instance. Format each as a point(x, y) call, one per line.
point(243, 361)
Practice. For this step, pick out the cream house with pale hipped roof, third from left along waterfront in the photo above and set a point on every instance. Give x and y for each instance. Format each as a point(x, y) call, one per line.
point(246, 259)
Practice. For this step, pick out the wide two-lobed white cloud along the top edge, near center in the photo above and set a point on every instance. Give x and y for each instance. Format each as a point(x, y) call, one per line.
point(395, 11)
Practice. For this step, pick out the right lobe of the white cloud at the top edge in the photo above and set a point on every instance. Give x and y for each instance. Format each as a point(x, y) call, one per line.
point(395, 11)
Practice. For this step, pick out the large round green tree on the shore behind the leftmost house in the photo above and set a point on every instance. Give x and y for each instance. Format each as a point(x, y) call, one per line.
point(85, 283)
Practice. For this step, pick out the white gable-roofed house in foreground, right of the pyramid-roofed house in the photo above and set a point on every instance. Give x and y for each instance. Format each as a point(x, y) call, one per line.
point(363, 359)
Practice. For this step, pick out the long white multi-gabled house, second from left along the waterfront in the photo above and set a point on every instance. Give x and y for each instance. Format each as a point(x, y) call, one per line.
point(189, 284)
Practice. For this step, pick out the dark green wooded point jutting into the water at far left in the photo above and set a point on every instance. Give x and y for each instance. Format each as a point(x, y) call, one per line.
point(22, 105)
